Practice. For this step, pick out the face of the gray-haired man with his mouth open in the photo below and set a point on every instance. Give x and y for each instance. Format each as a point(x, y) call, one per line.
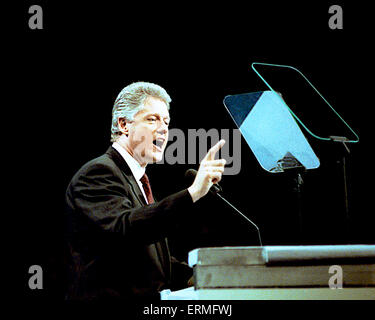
point(148, 132)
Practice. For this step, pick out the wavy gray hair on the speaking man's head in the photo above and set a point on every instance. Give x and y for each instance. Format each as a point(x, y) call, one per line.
point(131, 100)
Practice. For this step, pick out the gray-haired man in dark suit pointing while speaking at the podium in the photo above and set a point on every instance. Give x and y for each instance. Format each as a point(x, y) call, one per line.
point(116, 231)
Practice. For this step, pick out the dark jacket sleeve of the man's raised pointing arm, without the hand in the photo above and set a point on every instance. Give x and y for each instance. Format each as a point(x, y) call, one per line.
point(101, 196)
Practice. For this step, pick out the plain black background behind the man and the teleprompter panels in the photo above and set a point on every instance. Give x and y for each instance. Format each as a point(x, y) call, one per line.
point(63, 80)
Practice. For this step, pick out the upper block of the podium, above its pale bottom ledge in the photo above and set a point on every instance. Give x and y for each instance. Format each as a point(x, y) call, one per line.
point(283, 267)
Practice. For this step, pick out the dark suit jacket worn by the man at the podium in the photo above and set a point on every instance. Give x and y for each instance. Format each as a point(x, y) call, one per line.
point(117, 242)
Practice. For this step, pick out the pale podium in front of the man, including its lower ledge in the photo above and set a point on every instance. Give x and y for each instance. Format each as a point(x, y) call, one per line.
point(284, 273)
